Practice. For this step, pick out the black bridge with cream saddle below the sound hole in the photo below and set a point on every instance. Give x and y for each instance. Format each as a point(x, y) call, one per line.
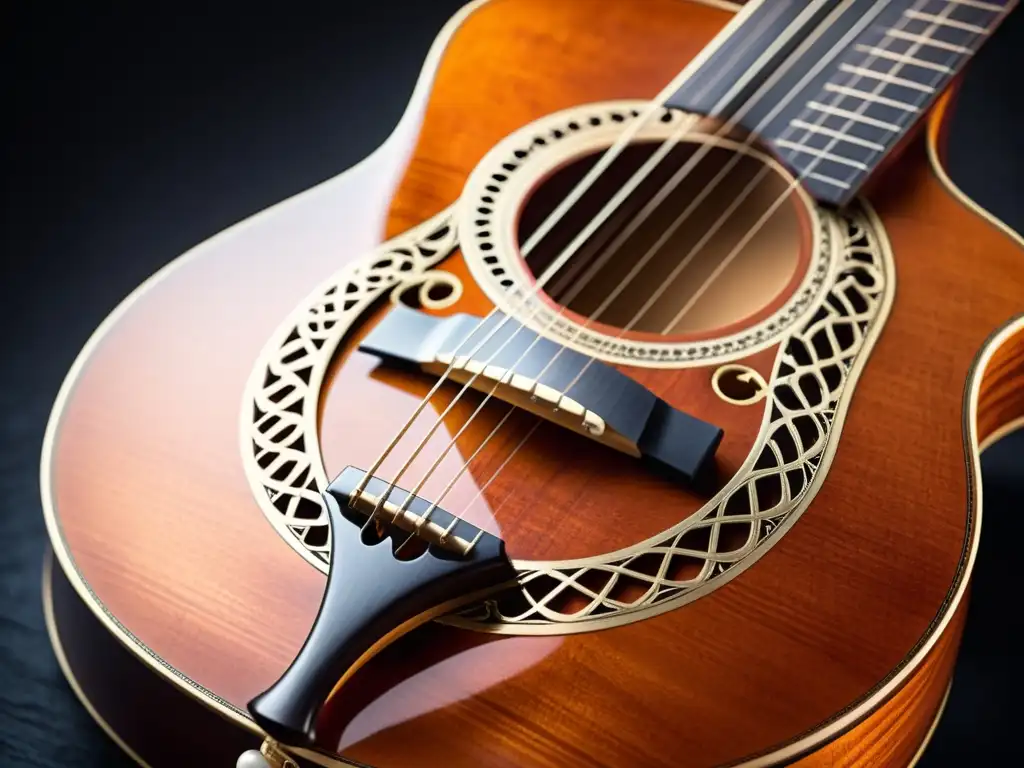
point(510, 362)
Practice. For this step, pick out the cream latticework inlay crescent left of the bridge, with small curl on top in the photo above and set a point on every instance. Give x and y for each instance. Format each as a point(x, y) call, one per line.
point(281, 446)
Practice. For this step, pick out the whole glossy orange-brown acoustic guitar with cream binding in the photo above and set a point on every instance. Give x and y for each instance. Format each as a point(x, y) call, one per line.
point(623, 409)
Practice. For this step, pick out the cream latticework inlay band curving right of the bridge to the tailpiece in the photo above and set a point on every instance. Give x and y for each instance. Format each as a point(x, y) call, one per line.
point(809, 391)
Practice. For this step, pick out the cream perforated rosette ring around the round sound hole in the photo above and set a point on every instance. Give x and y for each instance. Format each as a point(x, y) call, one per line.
point(488, 231)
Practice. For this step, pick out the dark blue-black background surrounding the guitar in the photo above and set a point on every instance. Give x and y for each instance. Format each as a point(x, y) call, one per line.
point(133, 133)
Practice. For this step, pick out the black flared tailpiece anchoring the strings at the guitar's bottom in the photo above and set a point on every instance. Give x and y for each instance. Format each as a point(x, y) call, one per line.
point(373, 598)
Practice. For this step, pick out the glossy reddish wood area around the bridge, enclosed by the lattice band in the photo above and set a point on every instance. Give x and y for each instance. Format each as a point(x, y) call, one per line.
point(562, 496)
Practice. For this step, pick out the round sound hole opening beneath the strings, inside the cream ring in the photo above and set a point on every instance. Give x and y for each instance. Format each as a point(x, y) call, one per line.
point(729, 263)
